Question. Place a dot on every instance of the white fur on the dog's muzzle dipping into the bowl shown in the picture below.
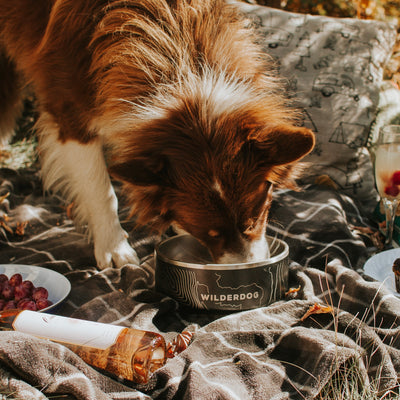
(256, 250)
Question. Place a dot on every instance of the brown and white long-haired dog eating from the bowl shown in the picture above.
(172, 97)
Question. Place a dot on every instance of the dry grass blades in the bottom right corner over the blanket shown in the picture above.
(353, 379)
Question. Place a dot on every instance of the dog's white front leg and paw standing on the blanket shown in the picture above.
(79, 172)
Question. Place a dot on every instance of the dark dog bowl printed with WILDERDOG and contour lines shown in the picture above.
(185, 272)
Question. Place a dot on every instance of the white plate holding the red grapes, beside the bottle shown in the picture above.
(56, 284)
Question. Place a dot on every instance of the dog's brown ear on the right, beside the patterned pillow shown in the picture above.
(284, 144)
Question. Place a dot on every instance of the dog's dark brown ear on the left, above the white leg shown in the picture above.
(141, 171)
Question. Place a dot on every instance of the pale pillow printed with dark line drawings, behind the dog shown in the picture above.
(334, 69)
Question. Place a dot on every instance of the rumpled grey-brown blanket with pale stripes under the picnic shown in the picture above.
(275, 352)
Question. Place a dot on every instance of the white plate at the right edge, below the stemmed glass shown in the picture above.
(380, 265)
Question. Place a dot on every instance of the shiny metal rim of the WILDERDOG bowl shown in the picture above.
(226, 267)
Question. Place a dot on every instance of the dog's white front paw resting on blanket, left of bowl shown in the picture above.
(115, 254)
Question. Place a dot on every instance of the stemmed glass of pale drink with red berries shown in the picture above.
(387, 174)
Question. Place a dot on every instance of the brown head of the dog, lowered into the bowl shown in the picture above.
(212, 178)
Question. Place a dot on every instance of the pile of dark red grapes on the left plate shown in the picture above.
(16, 293)
